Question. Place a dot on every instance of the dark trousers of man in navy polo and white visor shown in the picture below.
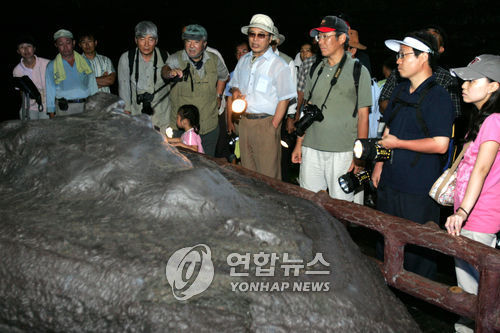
(419, 208)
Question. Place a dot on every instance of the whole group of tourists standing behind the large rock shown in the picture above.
(325, 95)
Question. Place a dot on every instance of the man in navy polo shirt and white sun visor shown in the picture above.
(419, 121)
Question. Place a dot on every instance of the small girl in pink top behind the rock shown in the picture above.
(188, 119)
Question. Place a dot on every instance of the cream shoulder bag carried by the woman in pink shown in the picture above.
(443, 189)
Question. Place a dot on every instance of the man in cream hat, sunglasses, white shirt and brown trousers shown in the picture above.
(265, 81)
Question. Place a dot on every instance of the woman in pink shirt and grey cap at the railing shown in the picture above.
(477, 191)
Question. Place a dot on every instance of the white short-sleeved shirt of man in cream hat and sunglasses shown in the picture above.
(265, 82)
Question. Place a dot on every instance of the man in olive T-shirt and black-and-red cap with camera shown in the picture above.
(335, 114)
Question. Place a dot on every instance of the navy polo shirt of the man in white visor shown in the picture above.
(438, 114)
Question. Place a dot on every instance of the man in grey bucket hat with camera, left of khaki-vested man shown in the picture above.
(139, 77)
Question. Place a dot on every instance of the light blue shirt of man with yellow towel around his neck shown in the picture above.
(76, 85)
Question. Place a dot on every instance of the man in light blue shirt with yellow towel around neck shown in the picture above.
(69, 78)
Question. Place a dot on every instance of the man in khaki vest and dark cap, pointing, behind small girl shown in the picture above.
(199, 79)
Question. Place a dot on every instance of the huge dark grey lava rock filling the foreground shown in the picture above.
(93, 206)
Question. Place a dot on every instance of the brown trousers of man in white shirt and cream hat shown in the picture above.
(260, 146)
